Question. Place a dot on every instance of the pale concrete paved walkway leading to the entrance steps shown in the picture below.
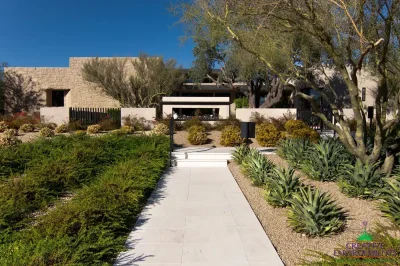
(198, 217)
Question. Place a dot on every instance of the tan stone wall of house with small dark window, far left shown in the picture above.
(77, 92)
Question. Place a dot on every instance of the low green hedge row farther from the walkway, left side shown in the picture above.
(79, 164)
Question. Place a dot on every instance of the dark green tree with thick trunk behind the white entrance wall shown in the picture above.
(236, 66)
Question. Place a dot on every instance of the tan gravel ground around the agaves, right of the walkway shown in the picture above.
(292, 246)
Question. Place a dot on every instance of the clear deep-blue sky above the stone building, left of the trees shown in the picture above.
(48, 32)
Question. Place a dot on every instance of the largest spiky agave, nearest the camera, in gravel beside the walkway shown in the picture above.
(314, 213)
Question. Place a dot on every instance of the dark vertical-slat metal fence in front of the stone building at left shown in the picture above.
(91, 116)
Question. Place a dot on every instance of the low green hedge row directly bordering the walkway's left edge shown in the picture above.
(91, 229)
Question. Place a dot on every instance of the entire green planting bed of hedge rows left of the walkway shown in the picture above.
(109, 179)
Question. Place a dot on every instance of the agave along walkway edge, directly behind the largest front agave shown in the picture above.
(280, 187)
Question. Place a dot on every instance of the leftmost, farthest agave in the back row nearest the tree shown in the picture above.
(293, 150)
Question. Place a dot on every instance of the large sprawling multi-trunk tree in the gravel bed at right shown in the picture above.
(296, 37)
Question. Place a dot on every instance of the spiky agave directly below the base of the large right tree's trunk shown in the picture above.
(361, 180)
